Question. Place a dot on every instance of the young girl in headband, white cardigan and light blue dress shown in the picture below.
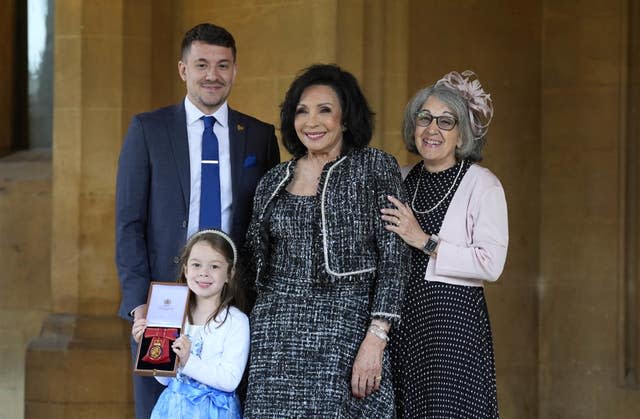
(214, 345)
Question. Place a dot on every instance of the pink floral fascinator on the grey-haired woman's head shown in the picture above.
(478, 101)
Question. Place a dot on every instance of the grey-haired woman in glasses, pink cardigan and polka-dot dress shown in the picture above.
(456, 222)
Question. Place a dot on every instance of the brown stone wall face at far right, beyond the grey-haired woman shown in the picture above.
(584, 87)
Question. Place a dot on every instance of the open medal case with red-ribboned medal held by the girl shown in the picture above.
(166, 312)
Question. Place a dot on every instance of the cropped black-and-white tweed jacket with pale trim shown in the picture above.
(352, 243)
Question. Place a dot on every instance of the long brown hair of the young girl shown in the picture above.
(232, 293)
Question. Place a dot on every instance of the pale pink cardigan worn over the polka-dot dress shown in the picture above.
(474, 234)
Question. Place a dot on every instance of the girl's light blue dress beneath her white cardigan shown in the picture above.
(186, 397)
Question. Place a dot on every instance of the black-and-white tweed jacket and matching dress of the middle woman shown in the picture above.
(324, 268)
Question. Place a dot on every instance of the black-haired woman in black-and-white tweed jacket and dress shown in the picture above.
(328, 275)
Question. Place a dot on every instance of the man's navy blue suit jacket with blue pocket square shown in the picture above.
(153, 193)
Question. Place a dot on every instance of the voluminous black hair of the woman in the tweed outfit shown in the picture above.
(357, 117)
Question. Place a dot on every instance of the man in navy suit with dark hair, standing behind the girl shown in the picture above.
(158, 183)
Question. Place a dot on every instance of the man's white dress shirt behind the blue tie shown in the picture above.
(195, 127)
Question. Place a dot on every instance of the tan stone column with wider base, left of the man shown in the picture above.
(79, 365)
